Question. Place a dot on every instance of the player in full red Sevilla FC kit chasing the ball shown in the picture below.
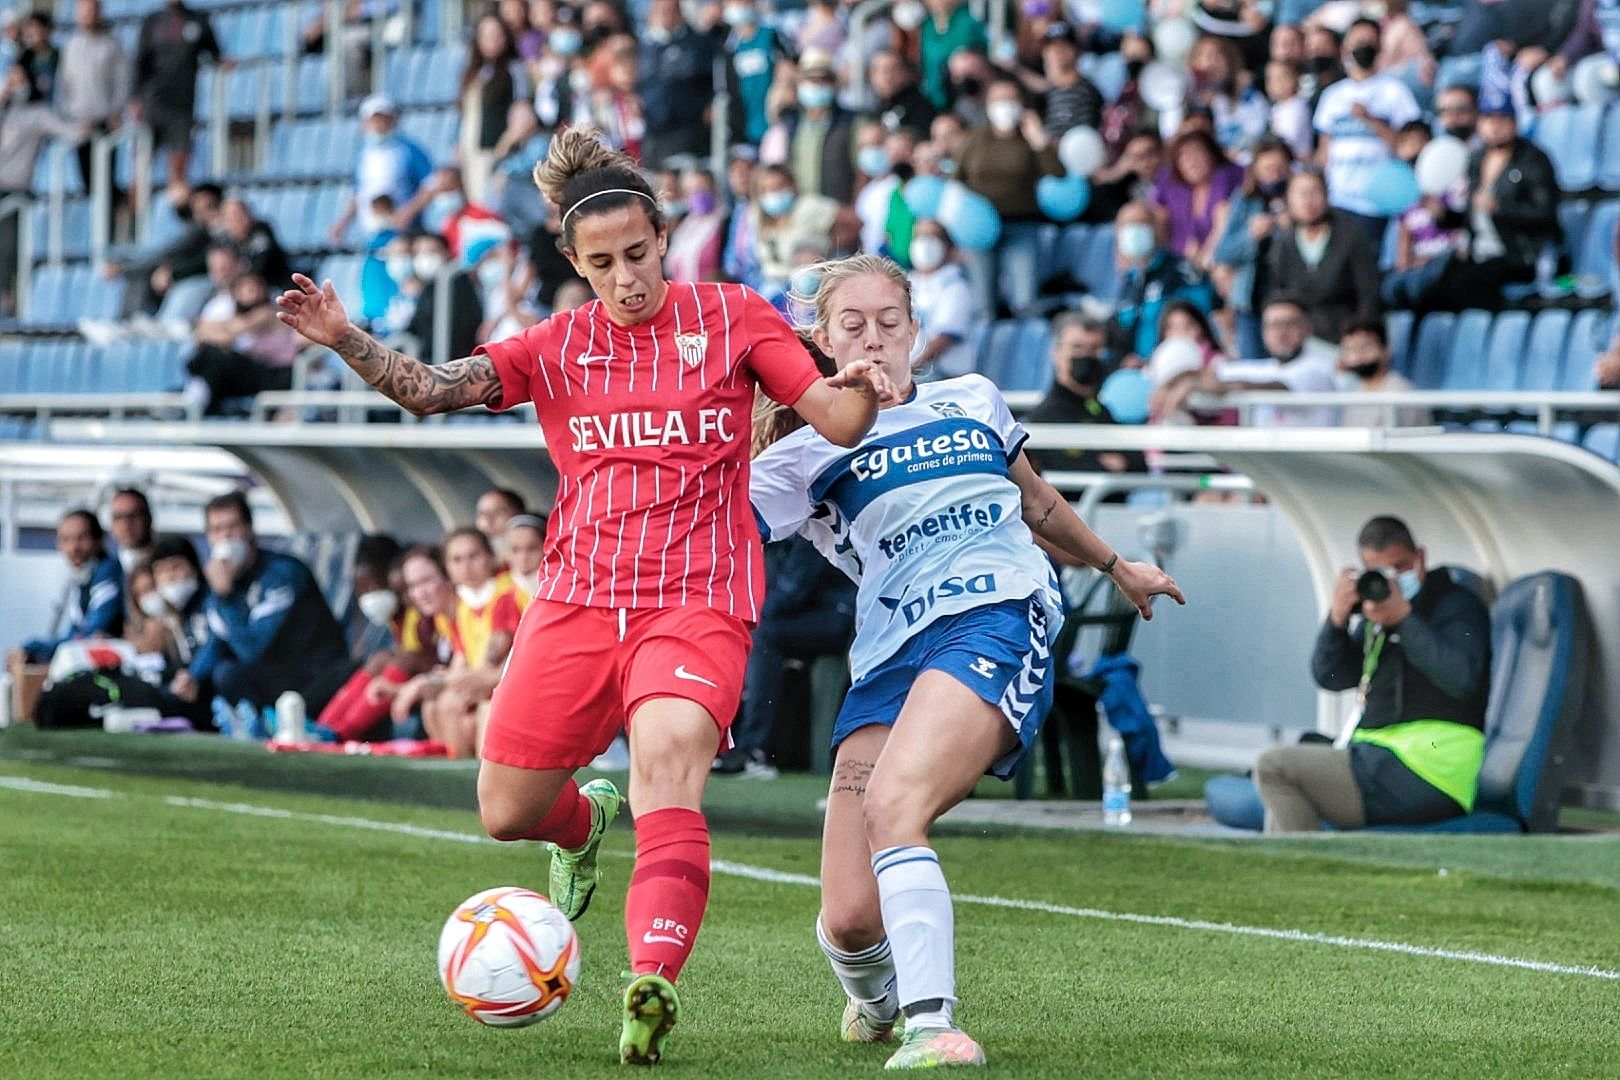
(654, 564)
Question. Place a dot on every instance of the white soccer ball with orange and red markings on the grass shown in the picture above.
(509, 958)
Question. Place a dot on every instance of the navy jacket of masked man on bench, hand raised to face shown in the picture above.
(276, 619)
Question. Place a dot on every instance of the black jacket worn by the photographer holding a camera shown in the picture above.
(1436, 666)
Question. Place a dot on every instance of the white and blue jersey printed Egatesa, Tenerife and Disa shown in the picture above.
(923, 516)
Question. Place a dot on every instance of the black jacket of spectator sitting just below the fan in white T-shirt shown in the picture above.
(1342, 286)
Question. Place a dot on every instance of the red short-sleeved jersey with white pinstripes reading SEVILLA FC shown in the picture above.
(649, 428)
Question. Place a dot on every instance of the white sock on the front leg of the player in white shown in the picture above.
(923, 932)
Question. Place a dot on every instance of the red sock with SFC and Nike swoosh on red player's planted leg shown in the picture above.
(668, 890)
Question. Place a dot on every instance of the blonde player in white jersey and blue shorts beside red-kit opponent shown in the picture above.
(934, 517)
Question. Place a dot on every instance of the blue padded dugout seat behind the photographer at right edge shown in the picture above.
(1538, 686)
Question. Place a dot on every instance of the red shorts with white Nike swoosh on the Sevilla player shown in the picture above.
(578, 674)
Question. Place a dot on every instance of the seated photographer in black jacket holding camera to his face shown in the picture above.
(1420, 657)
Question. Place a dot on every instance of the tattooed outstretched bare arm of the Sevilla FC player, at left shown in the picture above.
(424, 389)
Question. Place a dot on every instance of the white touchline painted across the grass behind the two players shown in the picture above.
(780, 877)
